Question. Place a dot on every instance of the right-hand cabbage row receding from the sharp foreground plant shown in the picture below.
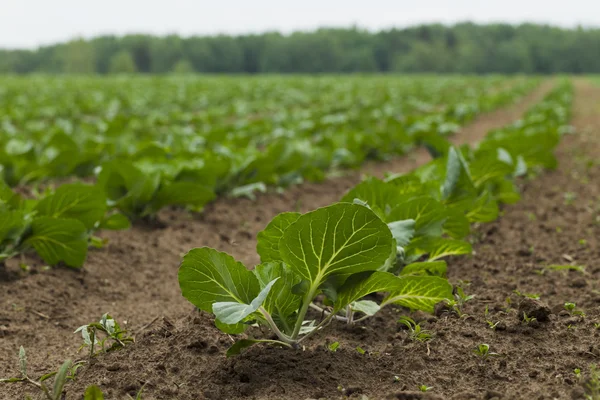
(384, 236)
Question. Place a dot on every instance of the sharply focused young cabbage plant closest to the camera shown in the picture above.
(338, 252)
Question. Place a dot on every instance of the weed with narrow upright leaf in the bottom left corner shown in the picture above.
(66, 371)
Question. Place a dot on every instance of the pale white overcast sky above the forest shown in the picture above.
(30, 23)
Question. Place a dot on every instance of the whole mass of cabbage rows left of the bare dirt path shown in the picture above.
(188, 169)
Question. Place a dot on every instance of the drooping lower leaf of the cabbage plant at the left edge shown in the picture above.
(59, 239)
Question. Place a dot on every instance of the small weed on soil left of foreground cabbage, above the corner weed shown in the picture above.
(111, 331)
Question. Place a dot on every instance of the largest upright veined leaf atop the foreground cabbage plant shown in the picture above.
(340, 239)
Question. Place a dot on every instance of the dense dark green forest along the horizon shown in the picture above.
(461, 48)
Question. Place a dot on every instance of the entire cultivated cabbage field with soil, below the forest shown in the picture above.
(298, 237)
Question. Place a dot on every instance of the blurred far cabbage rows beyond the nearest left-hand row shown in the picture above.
(229, 132)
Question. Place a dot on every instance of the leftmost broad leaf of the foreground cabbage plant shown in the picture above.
(207, 276)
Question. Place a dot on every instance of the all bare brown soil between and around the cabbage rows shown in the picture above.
(180, 355)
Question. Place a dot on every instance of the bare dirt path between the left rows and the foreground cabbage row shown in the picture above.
(134, 277)
